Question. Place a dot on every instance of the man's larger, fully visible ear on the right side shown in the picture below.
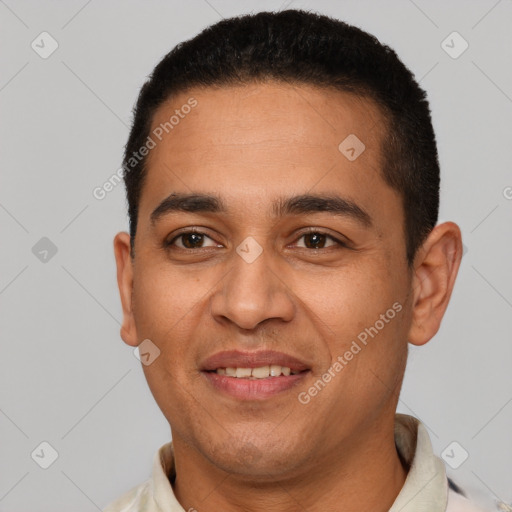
(435, 269)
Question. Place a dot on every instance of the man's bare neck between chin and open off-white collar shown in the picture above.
(366, 473)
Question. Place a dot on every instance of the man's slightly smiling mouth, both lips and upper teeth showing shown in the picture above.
(253, 376)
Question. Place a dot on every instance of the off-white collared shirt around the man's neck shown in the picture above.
(425, 488)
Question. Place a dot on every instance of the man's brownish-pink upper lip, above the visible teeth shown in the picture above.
(247, 359)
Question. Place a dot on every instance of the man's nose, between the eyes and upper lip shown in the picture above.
(252, 293)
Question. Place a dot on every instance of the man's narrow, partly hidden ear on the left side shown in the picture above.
(124, 264)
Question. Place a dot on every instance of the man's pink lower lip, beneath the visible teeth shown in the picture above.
(253, 389)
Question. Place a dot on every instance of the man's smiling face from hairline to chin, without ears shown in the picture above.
(256, 277)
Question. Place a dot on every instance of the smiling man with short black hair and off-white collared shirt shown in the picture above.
(283, 192)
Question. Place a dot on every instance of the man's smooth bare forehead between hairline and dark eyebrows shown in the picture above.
(256, 142)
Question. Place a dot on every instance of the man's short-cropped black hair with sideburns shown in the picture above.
(302, 47)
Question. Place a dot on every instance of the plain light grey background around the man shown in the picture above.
(67, 378)
